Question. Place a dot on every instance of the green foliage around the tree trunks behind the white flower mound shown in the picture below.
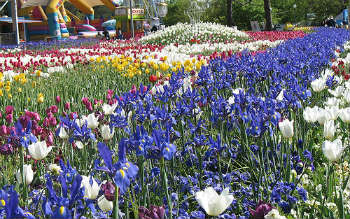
(244, 11)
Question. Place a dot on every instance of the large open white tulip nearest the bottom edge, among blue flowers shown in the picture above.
(212, 203)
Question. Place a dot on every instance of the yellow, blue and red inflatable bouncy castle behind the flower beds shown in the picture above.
(57, 22)
